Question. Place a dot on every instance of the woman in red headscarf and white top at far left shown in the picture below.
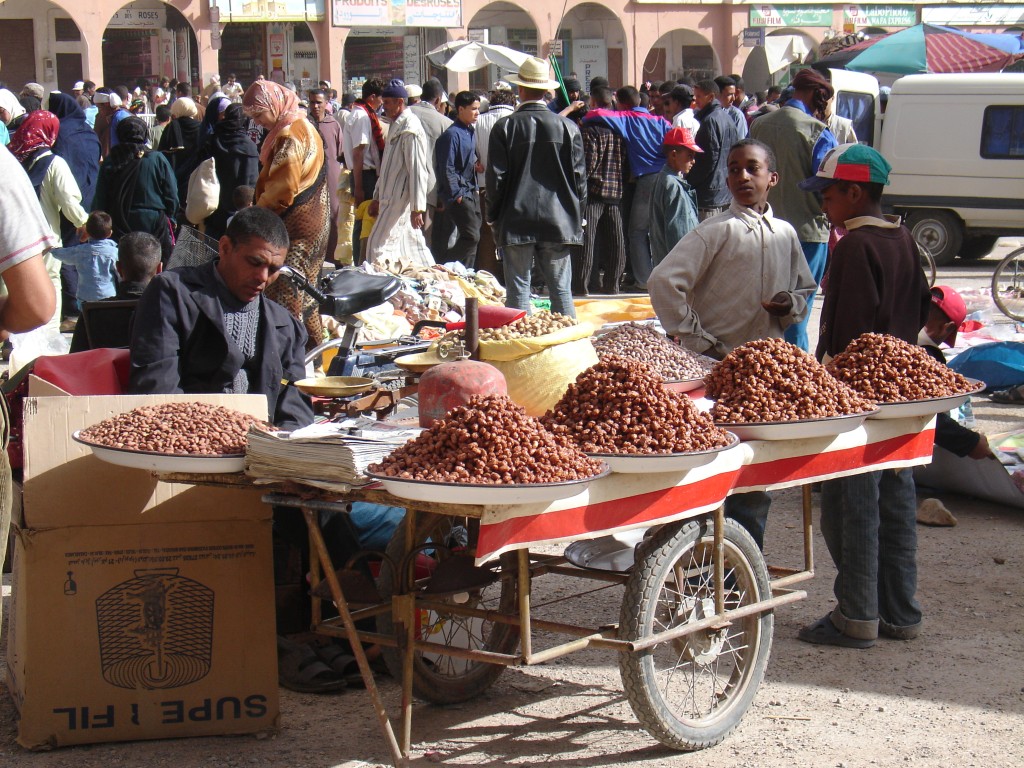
(59, 193)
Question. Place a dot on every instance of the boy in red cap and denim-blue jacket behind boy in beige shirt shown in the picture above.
(673, 201)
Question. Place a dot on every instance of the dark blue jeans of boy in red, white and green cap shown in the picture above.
(869, 525)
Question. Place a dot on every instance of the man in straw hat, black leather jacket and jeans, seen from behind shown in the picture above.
(537, 190)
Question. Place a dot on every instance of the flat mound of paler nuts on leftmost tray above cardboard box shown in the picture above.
(177, 429)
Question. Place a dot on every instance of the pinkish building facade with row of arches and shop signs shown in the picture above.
(58, 42)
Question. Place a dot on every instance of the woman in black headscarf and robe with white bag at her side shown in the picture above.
(237, 161)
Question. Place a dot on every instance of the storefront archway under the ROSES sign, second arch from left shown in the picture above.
(148, 40)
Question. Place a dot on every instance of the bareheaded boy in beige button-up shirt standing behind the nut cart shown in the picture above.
(701, 302)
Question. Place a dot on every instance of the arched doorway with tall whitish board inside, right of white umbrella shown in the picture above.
(593, 46)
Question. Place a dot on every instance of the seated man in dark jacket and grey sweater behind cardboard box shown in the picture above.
(209, 329)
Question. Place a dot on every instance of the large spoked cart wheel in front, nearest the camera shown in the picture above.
(692, 692)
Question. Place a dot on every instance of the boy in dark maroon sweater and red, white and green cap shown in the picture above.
(876, 284)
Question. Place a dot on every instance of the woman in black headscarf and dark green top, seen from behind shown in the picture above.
(138, 188)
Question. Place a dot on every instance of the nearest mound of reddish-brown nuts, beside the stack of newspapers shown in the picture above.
(488, 442)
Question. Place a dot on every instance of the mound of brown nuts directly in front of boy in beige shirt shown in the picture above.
(771, 380)
